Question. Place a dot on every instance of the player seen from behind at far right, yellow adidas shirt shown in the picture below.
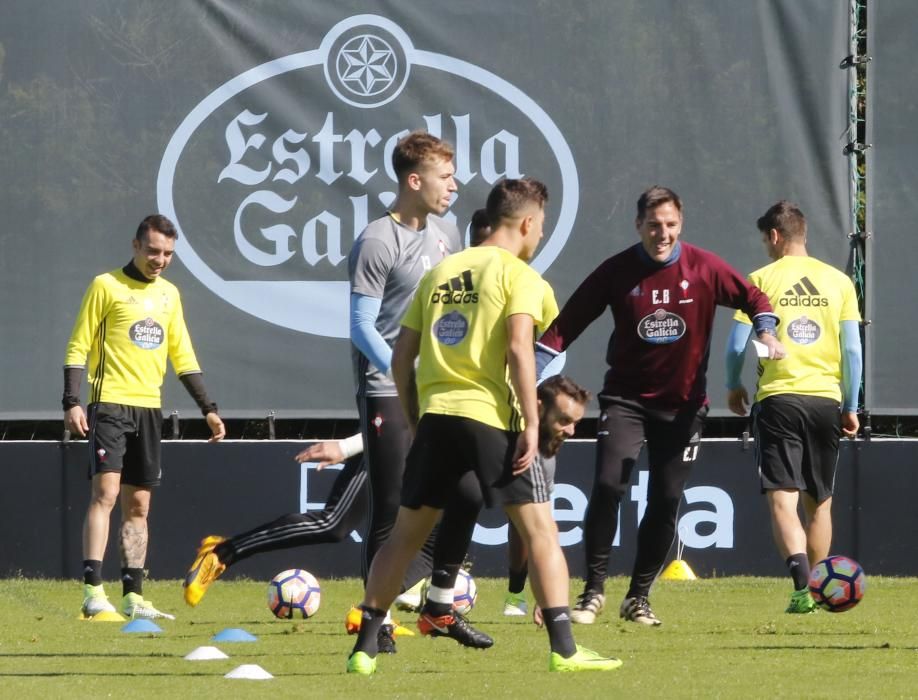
(805, 401)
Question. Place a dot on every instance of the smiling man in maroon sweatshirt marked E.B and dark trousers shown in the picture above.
(662, 294)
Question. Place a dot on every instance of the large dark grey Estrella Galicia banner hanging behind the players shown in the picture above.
(265, 132)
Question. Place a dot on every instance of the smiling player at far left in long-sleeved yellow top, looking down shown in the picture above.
(130, 322)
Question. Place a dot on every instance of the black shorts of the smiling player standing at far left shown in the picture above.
(126, 439)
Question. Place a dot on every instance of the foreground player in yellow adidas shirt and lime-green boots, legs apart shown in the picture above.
(472, 325)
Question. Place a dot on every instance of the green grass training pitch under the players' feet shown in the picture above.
(726, 638)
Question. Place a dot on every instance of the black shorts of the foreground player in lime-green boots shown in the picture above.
(445, 448)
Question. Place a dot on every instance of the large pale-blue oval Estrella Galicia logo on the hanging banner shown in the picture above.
(272, 176)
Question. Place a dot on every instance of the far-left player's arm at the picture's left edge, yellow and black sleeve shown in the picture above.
(92, 311)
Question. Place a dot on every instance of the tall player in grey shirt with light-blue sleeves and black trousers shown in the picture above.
(384, 266)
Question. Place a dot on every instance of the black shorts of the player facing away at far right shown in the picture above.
(796, 443)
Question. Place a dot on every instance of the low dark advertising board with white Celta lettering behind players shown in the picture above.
(234, 487)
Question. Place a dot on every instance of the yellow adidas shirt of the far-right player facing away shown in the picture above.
(812, 299)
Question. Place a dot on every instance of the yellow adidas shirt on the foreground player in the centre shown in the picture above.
(460, 309)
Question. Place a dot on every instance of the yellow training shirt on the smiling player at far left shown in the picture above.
(128, 328)
